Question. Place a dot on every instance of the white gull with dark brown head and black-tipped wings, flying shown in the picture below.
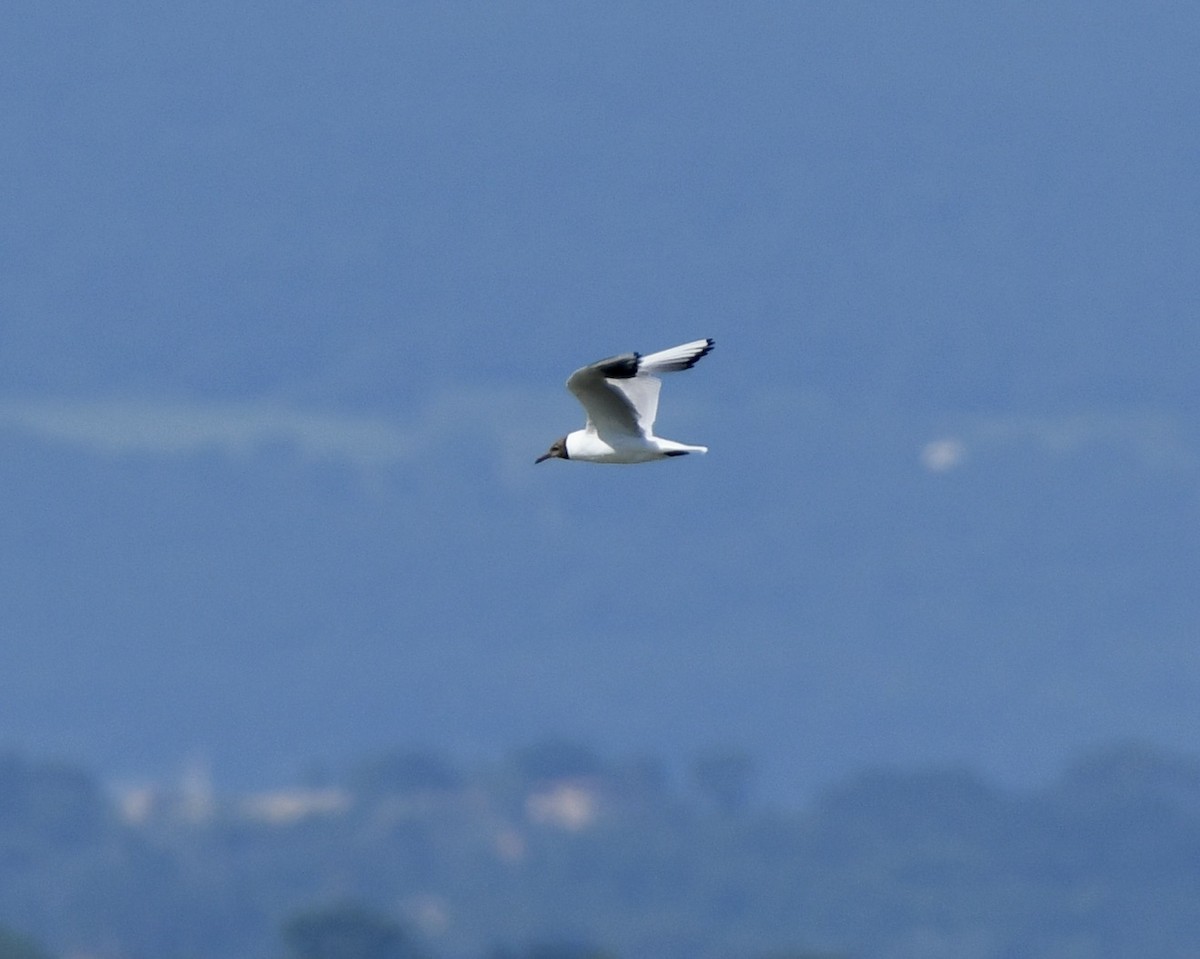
(621, 397)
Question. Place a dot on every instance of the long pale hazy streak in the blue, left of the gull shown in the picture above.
(128, 427)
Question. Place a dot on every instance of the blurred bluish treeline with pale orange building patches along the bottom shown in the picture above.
(559, 853)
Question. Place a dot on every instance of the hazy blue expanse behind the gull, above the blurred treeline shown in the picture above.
(290, 295)
